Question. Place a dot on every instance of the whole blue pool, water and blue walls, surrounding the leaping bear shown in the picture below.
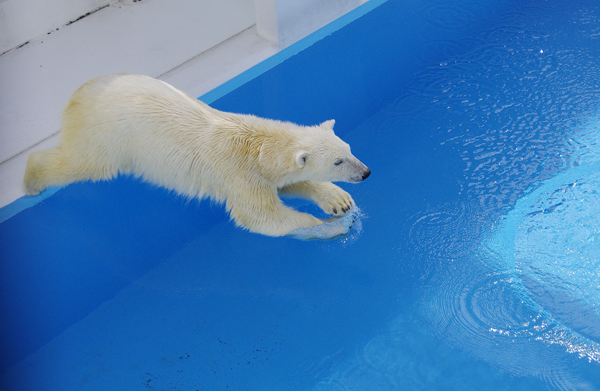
(474, 264)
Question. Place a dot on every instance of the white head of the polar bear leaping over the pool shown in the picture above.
(322, 156)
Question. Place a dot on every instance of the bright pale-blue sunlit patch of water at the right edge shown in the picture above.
(556, 258)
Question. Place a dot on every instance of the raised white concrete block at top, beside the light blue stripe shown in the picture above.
(284, 22)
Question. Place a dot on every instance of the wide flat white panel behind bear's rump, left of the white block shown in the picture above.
(149, 37)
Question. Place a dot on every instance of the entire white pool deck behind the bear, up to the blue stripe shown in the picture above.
(195, 45)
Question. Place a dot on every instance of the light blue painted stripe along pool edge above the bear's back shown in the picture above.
(290, 51)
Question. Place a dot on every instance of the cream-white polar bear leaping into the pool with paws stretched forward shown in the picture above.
(133, 124)
